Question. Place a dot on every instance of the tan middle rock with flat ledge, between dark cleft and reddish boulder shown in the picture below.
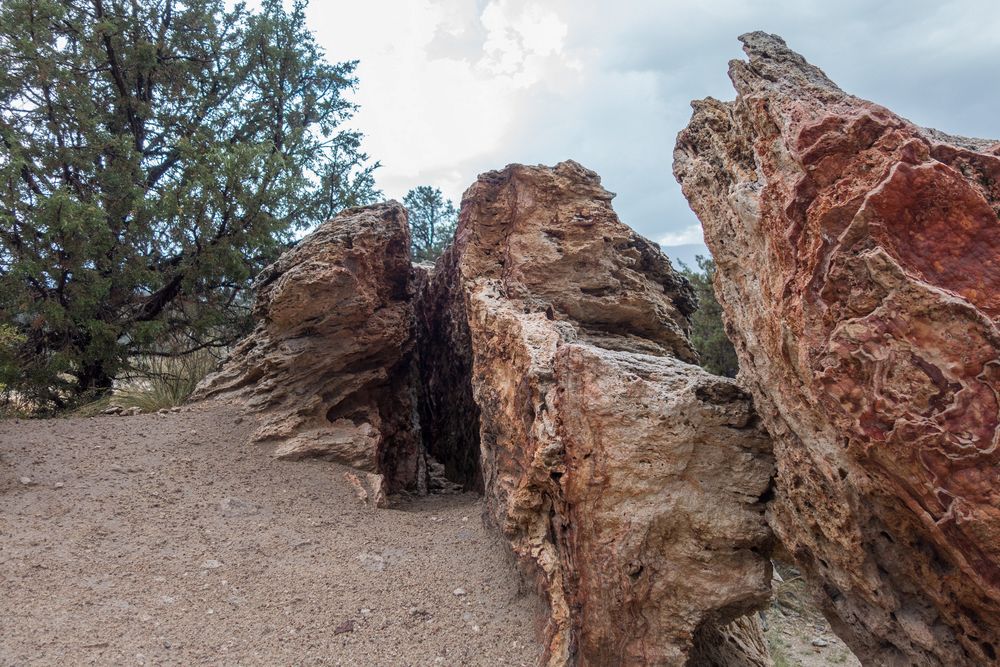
(627, 481)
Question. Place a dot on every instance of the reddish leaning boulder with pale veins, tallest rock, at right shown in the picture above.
(859, 269)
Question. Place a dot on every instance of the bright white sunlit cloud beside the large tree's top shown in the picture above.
(427, 113)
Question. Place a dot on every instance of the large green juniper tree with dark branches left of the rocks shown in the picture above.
(154, 156)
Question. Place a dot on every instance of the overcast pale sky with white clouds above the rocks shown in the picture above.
(452, 88)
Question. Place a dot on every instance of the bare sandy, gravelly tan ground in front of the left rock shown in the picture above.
(164, 539)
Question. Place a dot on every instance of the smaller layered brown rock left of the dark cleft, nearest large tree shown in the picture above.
(329, 366)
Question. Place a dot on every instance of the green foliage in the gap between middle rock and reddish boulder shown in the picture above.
(708, 331)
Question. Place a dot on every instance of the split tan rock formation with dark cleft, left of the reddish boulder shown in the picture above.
(543, 360)
